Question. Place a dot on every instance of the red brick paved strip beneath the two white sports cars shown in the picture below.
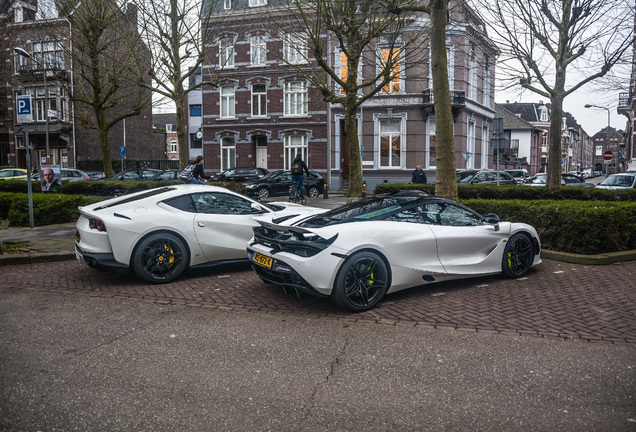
(593, 303)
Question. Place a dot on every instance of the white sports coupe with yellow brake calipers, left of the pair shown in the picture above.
(181, 226)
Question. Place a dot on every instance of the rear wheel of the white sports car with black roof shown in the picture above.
(362, 281)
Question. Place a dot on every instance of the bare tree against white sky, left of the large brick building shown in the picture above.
(175, 31)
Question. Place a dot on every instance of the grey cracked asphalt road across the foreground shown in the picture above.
(78, 362)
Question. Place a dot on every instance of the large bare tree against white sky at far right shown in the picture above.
(543, 40)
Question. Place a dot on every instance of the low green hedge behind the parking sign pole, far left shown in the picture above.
(48, 208)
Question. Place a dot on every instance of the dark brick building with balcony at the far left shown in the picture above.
(46, 73)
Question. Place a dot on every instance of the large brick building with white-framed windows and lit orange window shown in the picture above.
(265, 111)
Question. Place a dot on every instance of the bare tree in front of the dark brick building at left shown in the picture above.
(105, 86)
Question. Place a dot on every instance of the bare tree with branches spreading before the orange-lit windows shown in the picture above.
(356, 28)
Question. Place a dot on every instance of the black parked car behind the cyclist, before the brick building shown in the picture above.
(277, 183)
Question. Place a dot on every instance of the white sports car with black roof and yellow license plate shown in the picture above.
(358, 252)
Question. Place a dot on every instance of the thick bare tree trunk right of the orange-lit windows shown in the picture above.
(446, 179)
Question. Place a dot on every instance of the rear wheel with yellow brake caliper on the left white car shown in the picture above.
(160, 258)
